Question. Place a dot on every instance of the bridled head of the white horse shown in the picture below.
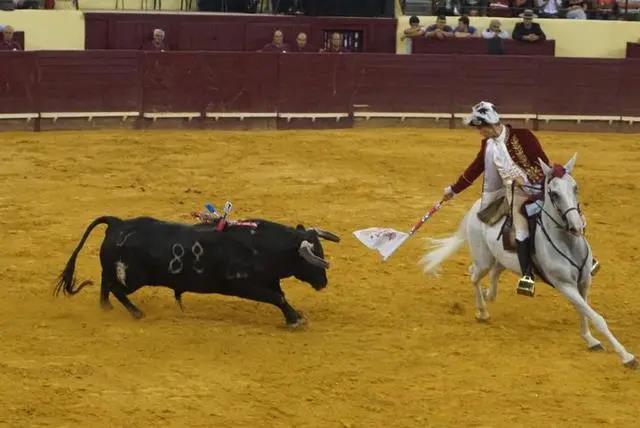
(562, 192)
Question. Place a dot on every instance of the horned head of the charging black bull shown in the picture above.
(313, 266)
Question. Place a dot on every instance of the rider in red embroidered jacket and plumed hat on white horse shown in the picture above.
(509, 159)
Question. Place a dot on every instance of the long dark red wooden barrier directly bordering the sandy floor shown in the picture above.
(210, 86)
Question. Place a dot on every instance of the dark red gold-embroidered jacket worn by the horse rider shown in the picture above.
(523, 147)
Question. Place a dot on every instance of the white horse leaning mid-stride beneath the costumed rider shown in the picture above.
(561, 252)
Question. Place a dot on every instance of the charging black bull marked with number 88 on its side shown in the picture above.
(246, 260)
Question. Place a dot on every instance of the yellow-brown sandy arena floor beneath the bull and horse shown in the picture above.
(385, 346)
